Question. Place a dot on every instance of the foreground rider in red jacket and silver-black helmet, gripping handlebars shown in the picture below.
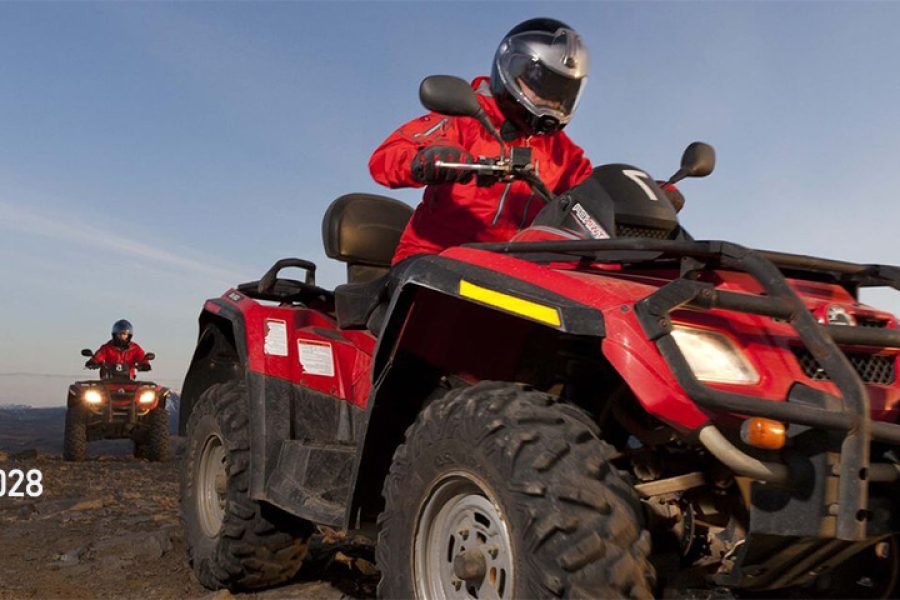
(537, 78)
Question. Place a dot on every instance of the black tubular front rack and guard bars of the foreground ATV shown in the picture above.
(849, 414)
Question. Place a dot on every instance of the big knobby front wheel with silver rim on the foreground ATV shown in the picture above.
(501, 492)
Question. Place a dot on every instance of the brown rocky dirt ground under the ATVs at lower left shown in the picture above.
(109, 527)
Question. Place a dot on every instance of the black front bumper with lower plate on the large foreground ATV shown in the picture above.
(825, 490)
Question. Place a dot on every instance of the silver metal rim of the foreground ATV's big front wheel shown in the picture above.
(462, 547)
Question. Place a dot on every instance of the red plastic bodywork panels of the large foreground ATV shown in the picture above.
(312, 341)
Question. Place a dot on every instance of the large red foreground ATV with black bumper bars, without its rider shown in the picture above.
(603, 407)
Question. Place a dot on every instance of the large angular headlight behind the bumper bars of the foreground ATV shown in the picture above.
(712, 356)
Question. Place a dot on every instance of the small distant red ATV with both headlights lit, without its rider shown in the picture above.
(114, 407)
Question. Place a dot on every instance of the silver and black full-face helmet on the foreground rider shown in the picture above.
(539, 72)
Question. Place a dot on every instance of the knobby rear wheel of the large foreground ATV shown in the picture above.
(233, 541)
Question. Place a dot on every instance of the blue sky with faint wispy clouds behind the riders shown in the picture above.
(153, 154)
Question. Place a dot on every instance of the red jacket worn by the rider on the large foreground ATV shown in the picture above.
(453, 214)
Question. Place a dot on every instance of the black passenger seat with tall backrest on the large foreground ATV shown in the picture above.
(363, 230)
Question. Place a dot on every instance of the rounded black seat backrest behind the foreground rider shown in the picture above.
(363, 230)
